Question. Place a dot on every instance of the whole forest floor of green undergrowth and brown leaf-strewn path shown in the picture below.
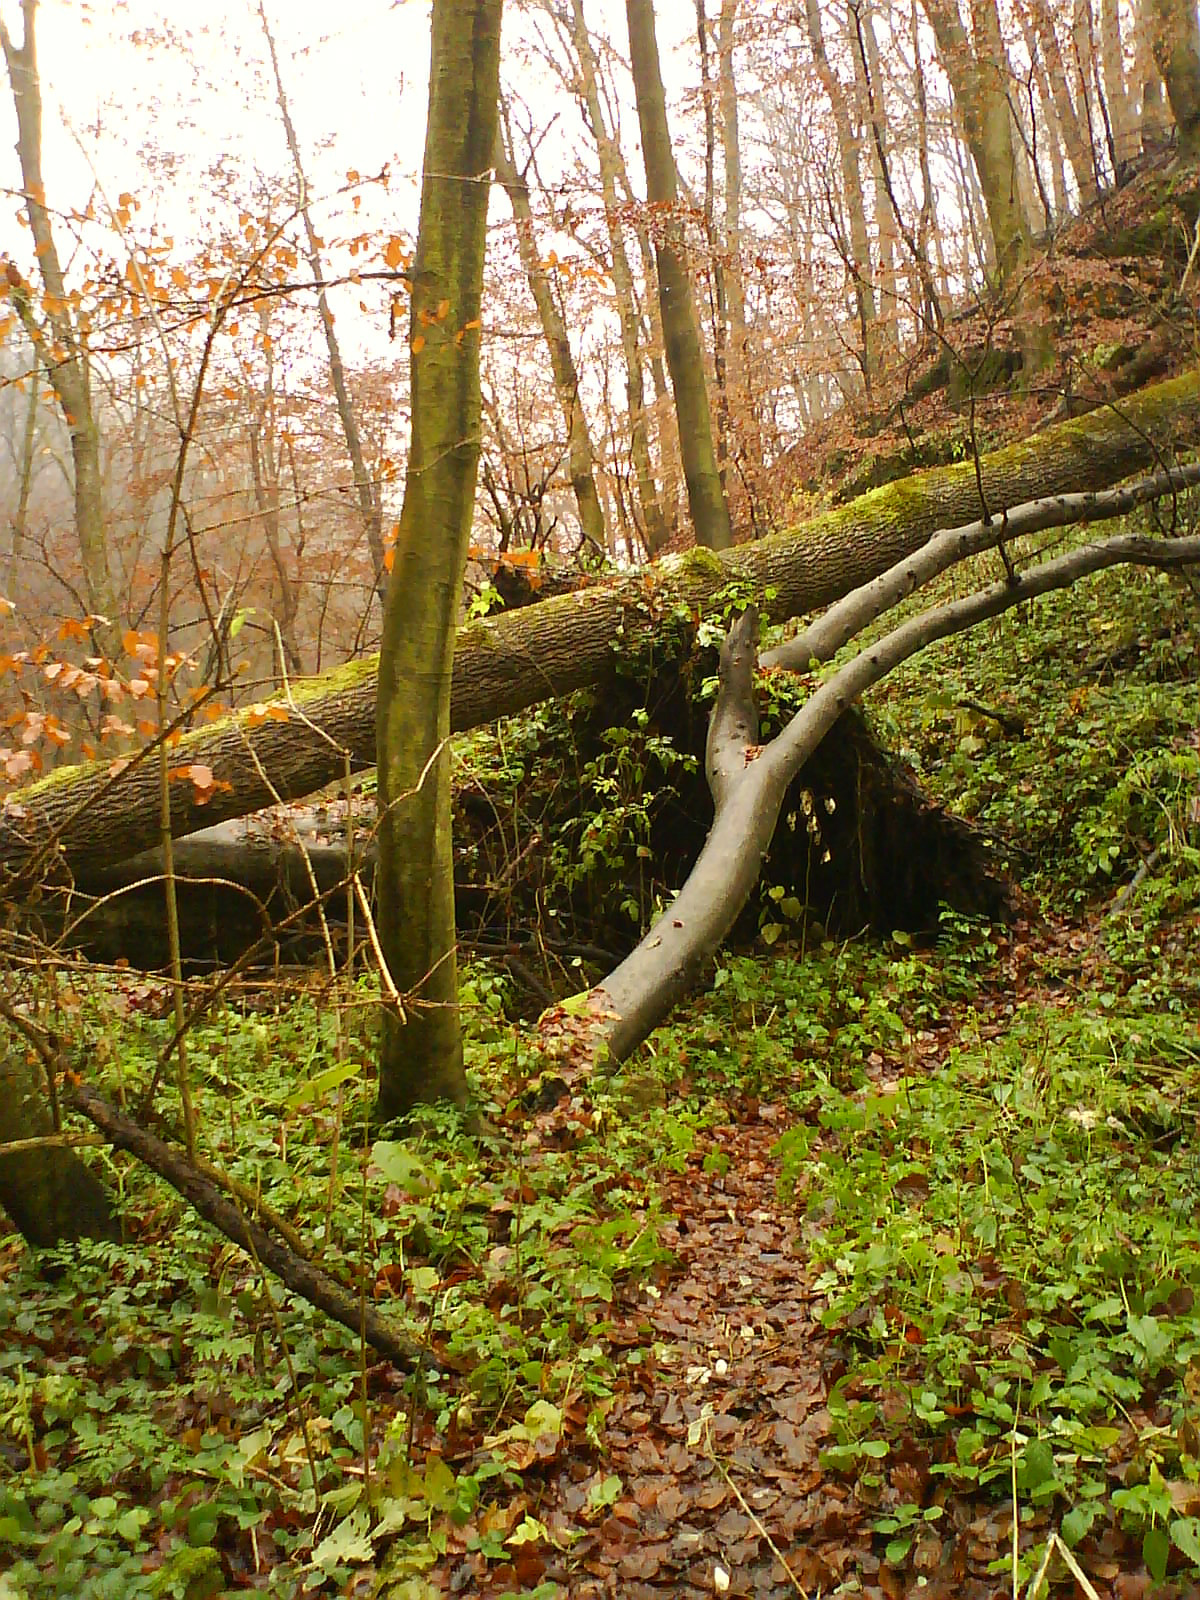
(873, 1274)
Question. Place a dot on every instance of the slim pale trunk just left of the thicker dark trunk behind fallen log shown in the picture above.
(612, 169)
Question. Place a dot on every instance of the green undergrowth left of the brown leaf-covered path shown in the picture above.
(174, 1425)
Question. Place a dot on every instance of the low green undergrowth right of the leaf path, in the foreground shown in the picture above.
(1009, 1242)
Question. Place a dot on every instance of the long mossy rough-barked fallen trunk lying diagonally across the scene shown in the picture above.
(81, 820)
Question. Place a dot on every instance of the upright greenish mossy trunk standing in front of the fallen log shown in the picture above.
(422, 1049)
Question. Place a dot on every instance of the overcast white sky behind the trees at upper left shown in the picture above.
(151, 97)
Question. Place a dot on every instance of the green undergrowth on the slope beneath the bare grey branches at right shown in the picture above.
(1070, 727)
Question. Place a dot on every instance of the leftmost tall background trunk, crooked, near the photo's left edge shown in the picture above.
(57, 340)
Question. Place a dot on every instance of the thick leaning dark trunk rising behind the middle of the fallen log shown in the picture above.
(681, 329)
